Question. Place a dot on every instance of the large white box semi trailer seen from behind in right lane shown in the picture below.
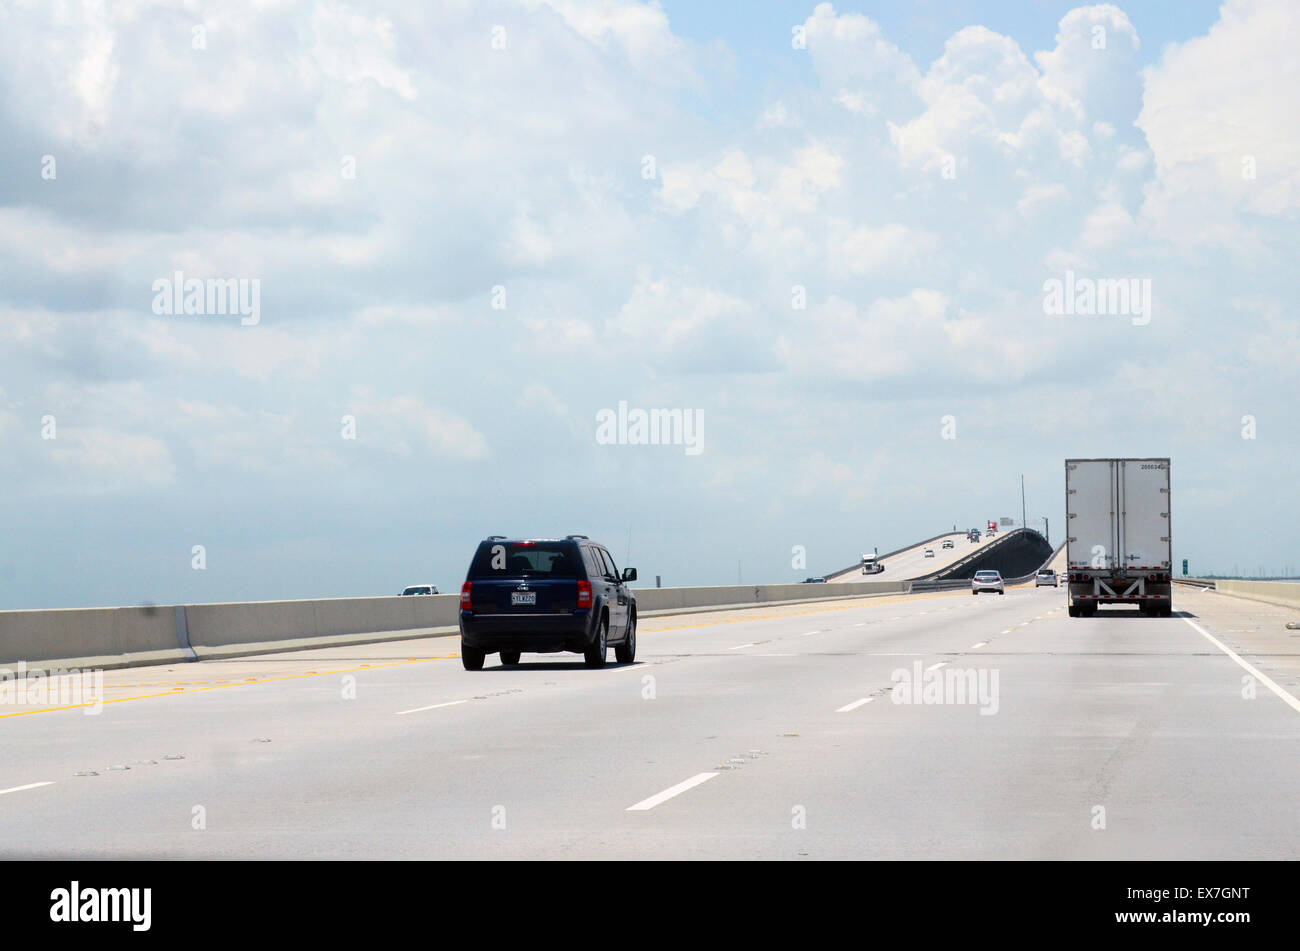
(1119, 535)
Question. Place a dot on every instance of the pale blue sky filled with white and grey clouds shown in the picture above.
(834, 240)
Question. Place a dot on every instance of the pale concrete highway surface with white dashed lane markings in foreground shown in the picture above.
(762, 733)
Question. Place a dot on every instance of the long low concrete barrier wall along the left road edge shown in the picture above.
(125, 637)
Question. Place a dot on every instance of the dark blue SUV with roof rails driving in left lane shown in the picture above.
(544, 596)
